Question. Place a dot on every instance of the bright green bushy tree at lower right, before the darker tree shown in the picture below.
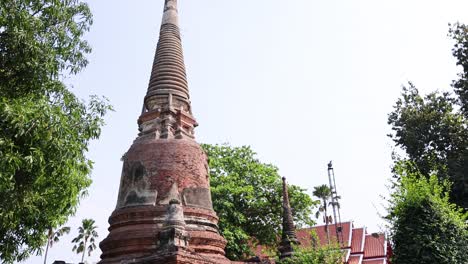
(425, 227)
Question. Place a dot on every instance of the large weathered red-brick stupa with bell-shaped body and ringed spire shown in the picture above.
(164, 212)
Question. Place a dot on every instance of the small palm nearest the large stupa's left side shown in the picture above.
(86, 233)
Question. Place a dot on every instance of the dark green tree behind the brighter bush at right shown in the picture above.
(434, 135)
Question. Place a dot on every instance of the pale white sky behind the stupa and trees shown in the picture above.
(302, 82)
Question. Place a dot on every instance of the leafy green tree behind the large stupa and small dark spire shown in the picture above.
(247, 197)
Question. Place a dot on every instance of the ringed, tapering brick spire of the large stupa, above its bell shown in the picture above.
(167, 112)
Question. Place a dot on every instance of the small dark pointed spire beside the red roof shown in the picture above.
(288, 238)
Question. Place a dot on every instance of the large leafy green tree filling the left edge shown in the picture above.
(44, 128)
